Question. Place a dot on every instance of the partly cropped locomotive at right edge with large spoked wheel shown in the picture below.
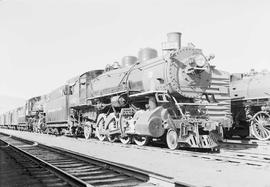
(250, 95)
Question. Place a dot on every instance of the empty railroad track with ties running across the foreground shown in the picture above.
(66, 168)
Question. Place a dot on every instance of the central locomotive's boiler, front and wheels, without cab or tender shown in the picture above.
(155, 98)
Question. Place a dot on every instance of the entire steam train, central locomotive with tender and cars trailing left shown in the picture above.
(177, 98)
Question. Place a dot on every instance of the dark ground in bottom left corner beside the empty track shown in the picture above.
(18, 170)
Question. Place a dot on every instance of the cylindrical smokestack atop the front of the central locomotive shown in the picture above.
(173, 41)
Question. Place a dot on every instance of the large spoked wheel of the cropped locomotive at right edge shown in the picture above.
(260, 126)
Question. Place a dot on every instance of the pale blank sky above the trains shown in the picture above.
(44, 43)
